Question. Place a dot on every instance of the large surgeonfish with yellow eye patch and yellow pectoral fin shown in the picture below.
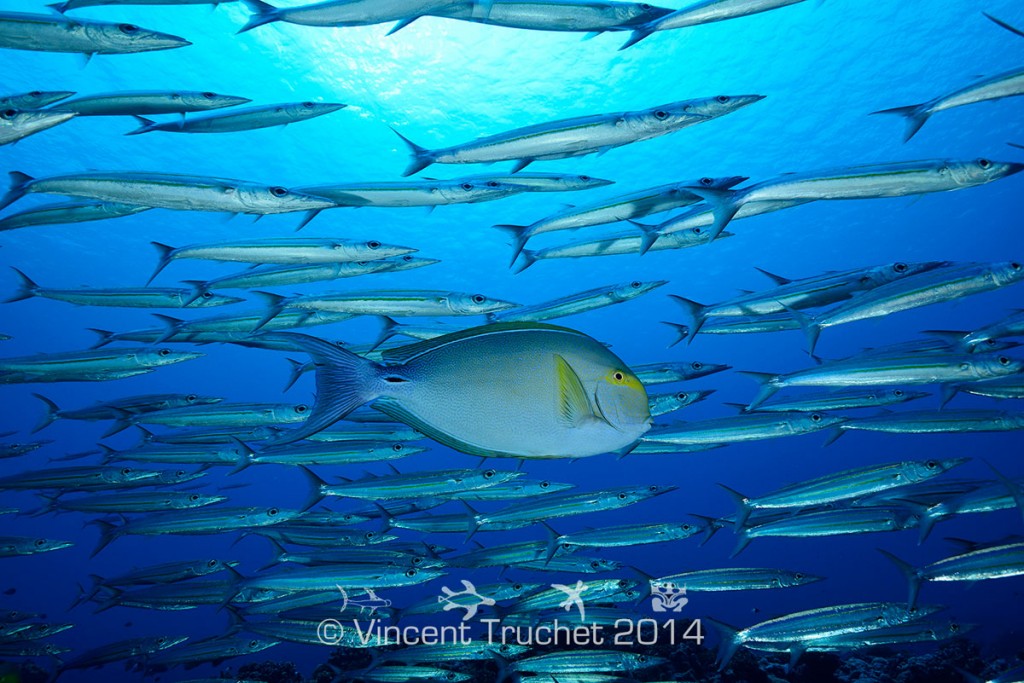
(508, 390)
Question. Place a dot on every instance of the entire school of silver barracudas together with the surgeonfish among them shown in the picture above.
(457, 383)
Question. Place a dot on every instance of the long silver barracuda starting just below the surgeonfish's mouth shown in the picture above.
(754, 428)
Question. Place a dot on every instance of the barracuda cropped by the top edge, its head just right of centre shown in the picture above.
(581, 16)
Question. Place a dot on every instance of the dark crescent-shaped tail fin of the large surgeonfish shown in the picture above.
(345, 381)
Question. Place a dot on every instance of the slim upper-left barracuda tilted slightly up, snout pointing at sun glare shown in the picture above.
(250, 118)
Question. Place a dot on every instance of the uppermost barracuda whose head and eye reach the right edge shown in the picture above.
(860, 183)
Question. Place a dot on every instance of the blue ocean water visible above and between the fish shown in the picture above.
(823, 67)
